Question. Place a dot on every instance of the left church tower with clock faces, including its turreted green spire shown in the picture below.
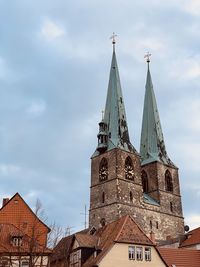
(115, 172)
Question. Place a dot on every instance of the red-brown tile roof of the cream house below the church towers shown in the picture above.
(123, 230)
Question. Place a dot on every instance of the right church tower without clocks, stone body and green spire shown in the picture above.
(159, 174)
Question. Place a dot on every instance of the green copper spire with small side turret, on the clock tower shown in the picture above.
(114, 122)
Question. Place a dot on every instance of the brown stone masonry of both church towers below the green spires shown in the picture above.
(117, 196)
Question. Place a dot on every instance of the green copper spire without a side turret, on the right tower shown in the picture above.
(152, 146)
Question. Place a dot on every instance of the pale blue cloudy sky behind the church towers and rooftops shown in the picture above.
(55, 58)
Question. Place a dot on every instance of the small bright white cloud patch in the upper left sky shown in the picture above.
(50, 30)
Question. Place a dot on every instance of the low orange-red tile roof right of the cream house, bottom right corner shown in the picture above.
(178, 257)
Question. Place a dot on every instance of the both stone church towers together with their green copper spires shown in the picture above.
(144, 185)
